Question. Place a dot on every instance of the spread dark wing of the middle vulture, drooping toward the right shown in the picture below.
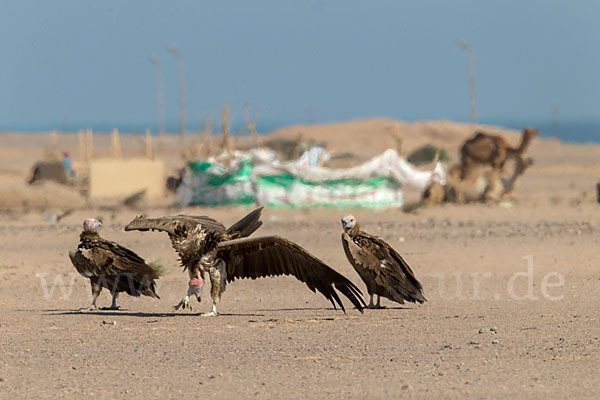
(273, 256)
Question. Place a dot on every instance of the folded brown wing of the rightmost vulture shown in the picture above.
(396, 278)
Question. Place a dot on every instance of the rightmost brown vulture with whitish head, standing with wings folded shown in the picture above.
(382, 269)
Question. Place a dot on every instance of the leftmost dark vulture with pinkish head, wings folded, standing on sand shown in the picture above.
(111, 266)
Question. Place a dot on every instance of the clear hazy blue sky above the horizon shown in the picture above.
(85, 63)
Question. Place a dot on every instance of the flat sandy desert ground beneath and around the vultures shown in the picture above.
(514, 294)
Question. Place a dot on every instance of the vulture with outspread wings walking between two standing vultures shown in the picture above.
(205, 246)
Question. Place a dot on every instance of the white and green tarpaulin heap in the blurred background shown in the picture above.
(258, 177)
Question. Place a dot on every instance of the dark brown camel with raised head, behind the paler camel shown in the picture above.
(492, 150)
